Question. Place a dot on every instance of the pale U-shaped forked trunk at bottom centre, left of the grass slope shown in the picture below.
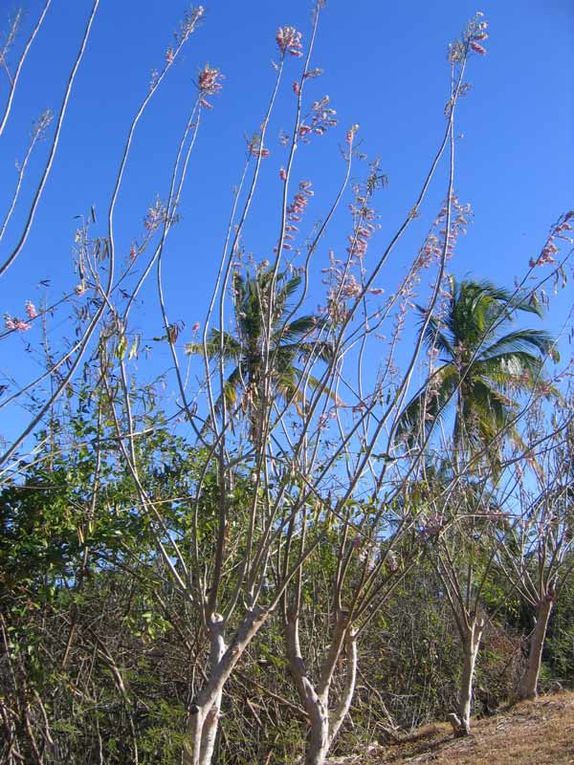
(324, 723)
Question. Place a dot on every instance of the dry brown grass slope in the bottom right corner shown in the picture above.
(532, 733)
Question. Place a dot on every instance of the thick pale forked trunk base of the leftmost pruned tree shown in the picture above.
(203, 723)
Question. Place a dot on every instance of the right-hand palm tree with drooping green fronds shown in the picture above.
(481, 369)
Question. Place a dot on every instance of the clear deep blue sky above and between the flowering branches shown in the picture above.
(385, 68)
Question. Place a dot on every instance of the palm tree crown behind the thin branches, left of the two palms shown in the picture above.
(281, 351)
